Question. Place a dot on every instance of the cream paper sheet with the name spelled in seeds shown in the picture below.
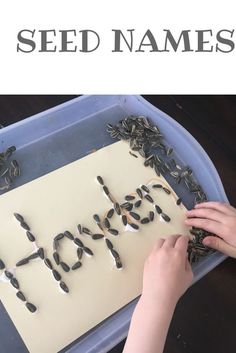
(57, 202)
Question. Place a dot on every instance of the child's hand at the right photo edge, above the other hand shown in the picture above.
(220, 219)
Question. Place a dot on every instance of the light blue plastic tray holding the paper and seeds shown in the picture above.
(63, 134)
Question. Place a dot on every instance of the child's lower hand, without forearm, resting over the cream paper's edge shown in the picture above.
(167, 272)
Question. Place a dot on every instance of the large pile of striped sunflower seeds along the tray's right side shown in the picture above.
(147, 140)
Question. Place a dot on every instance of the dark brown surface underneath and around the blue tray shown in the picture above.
(205, 318)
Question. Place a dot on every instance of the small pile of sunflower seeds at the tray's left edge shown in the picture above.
(8, 169)
